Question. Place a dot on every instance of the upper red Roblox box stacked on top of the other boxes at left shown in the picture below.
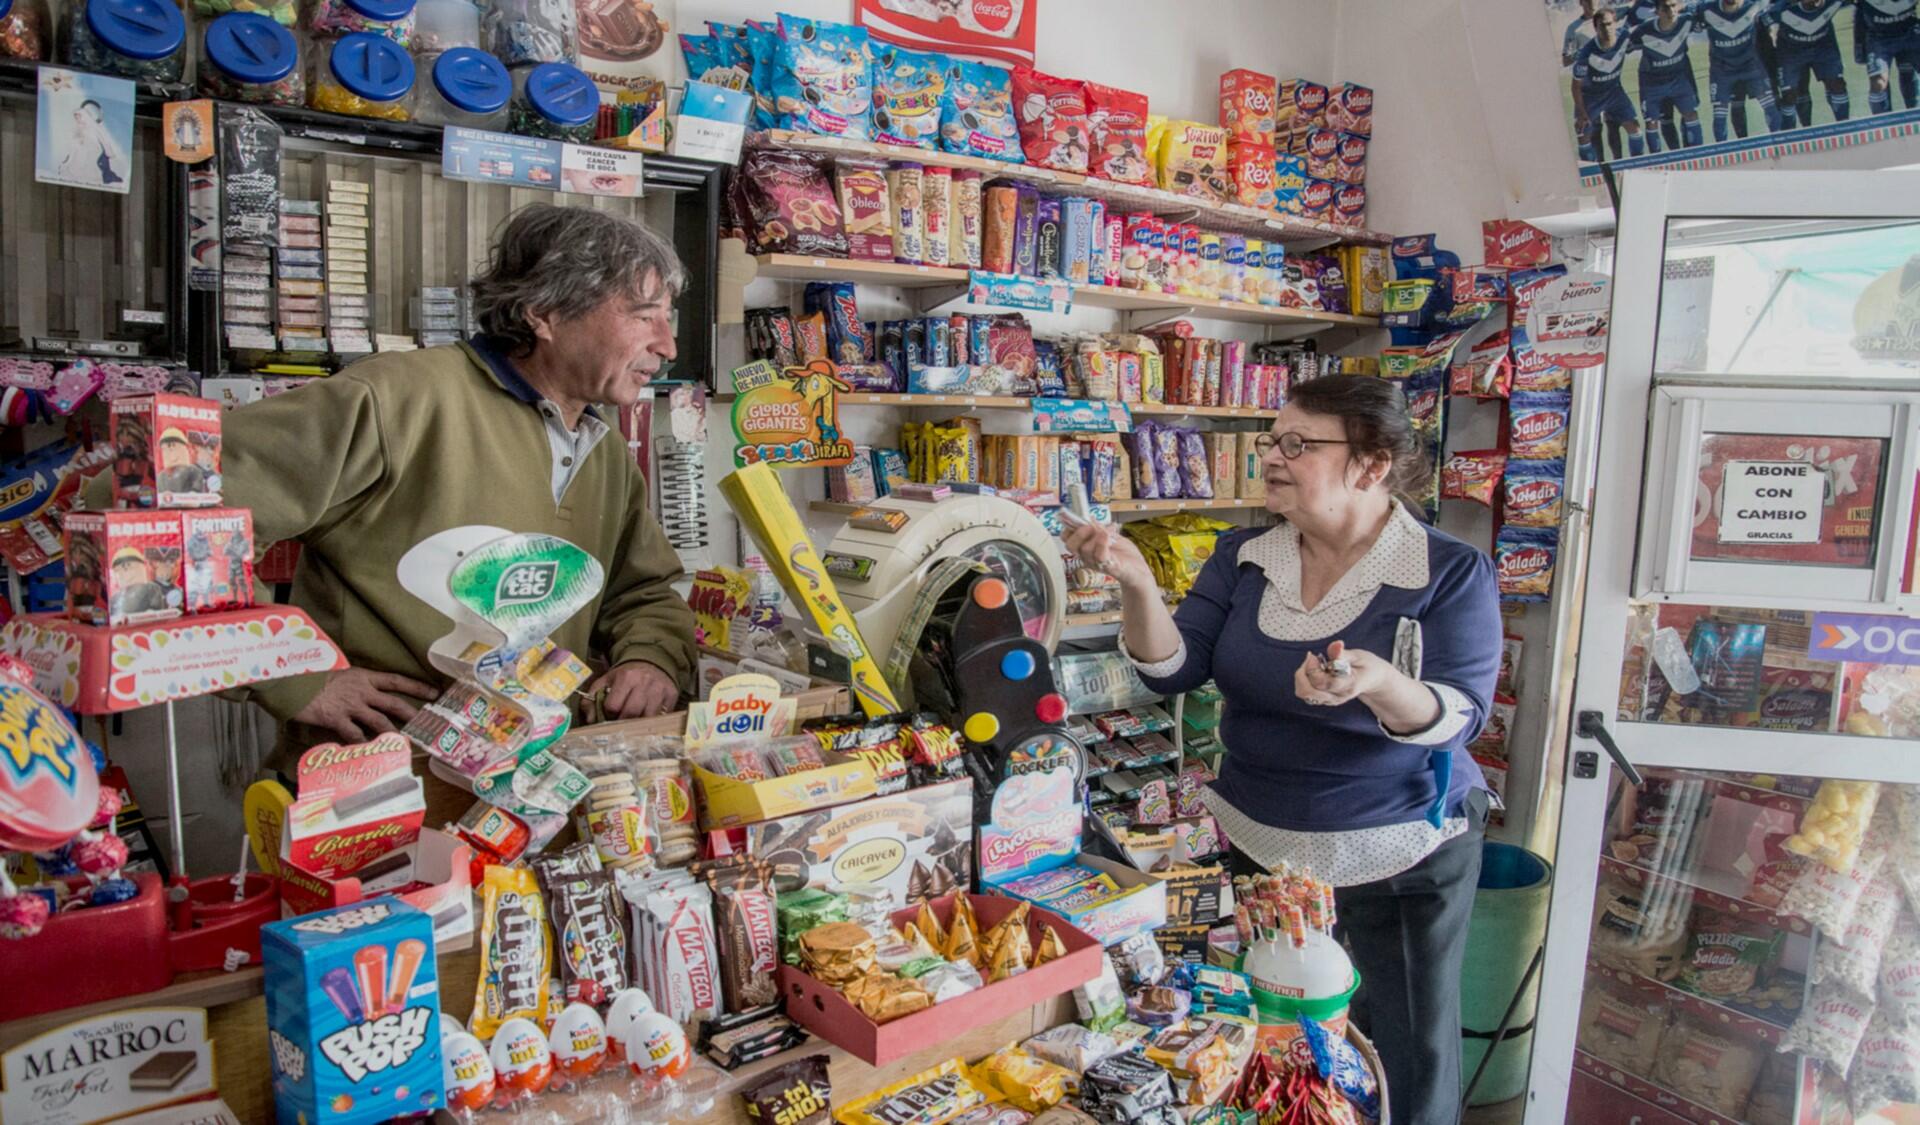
(166, 452)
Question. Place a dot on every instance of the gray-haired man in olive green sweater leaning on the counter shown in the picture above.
(575, 314)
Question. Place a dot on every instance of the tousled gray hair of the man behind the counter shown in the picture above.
(565, 262)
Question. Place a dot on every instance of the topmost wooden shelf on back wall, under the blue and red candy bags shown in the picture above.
(1226, 218)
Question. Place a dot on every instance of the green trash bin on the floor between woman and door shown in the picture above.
(1510, 921)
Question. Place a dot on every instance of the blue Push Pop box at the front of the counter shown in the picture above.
(354, 1015)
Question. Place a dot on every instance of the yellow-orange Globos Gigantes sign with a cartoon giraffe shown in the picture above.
(788, 418)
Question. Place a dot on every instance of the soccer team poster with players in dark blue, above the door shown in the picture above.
(1702, 84)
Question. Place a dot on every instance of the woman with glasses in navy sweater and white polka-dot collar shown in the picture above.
(1356, 652)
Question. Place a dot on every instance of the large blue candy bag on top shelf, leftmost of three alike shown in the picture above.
(823, 82)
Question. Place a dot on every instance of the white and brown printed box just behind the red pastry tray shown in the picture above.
(915, 844)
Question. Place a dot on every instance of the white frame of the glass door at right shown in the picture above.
(1648, 201)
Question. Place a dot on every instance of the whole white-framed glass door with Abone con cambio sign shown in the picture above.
(1733, 932)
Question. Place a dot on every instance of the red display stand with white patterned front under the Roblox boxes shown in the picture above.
(101, 671)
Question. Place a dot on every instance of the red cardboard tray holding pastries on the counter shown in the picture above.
(823, 1011)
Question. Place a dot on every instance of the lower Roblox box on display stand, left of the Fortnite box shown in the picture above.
(124, 569)
